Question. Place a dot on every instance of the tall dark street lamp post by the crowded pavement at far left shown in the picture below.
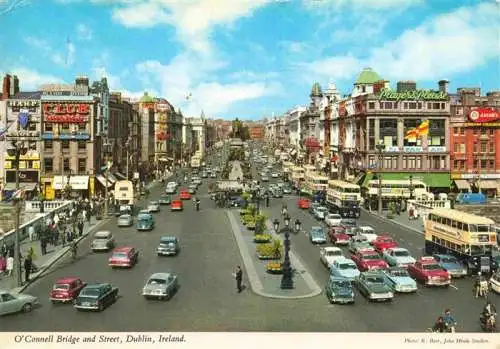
(16, 150)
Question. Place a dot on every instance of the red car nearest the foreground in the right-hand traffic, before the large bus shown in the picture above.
(427, 271)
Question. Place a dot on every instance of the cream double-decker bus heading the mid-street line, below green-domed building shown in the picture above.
(344, 197)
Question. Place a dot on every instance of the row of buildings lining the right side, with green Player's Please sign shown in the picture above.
(373, 130)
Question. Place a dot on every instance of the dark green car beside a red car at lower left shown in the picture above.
(96, 297)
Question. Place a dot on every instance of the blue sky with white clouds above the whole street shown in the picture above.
(249, 58)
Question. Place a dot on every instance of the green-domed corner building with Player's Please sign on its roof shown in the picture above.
(375, 114)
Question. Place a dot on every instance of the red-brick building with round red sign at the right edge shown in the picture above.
(475, 141)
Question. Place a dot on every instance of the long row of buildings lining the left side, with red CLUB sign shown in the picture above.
(71, 133)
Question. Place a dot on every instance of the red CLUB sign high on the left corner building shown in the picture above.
(72, 113)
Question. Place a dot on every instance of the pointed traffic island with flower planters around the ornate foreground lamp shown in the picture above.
(262, 256)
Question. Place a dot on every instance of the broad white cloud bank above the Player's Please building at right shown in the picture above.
(447, 44)
